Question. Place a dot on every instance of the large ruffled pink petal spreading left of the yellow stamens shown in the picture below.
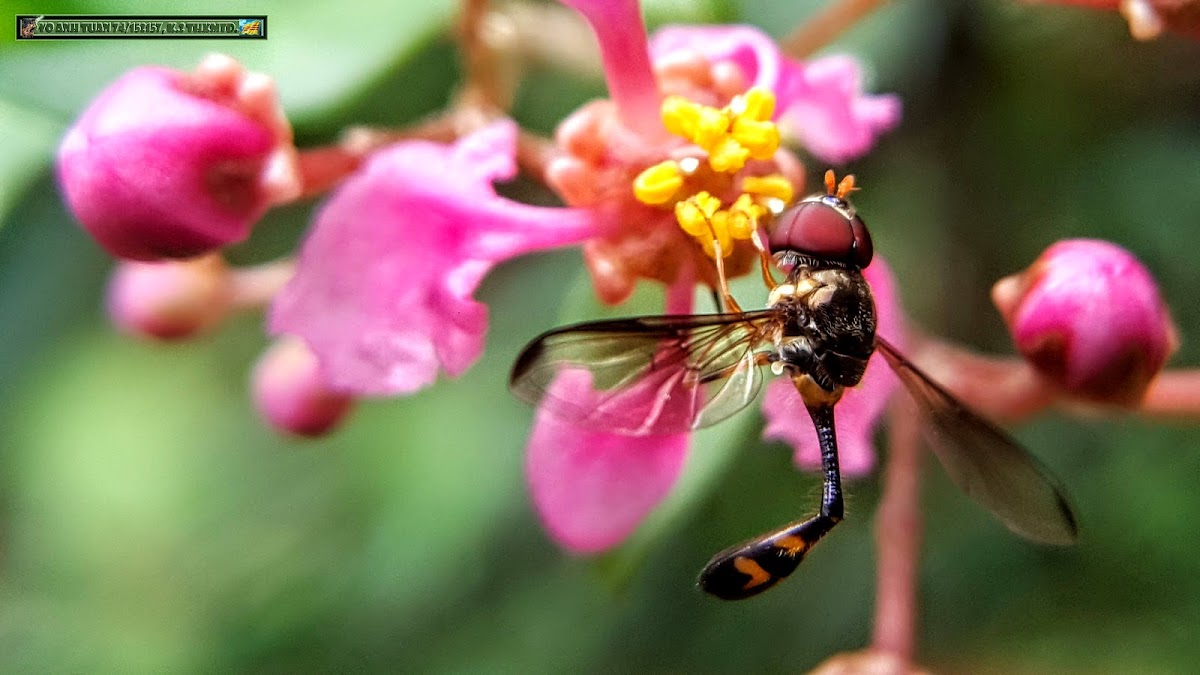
(383, 288)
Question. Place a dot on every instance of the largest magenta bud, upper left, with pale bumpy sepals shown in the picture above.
(172, 165)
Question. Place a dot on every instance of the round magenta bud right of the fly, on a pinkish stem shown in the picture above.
(1089, 316)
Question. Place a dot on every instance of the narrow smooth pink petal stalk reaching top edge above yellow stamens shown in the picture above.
(627, 65)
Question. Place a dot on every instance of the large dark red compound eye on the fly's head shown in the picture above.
(818, 229)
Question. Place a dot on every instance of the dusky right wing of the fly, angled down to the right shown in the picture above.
(987, 463)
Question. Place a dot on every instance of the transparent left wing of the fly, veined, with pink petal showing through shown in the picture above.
(646, 375)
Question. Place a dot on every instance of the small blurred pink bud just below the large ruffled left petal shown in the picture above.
(292, 395)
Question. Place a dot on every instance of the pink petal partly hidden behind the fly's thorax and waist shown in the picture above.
(861, 408)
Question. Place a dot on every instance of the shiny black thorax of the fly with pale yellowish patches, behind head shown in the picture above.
(829, 324)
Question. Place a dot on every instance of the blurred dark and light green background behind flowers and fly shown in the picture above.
(149, 522)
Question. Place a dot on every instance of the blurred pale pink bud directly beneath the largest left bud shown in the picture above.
(170, 300)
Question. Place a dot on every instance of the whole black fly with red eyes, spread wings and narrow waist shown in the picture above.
(674, 374)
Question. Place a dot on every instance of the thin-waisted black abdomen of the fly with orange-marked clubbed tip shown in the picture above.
(751, 569)
